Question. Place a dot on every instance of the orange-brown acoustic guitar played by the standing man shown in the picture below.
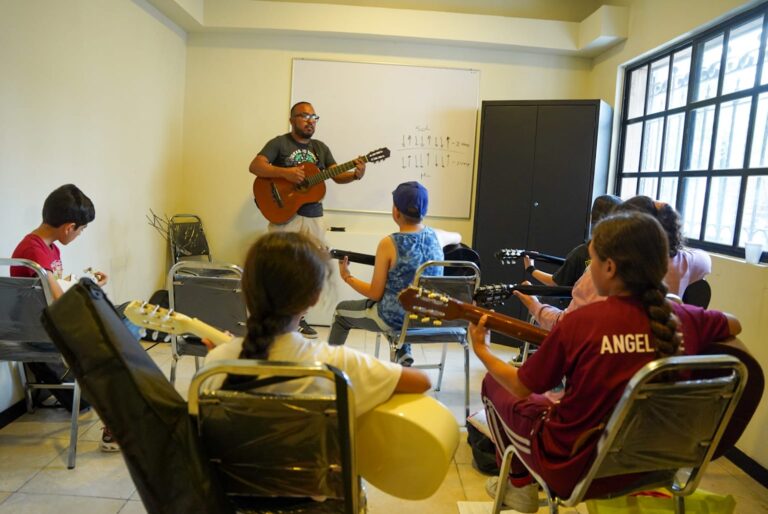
(279, 200)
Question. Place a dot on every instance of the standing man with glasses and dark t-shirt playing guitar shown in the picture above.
(281, 157)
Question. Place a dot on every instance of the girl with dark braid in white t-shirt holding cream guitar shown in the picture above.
(283, 277)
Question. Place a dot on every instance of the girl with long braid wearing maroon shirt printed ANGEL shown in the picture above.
(598, 348)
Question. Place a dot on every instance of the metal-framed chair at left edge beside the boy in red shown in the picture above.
(23, 338)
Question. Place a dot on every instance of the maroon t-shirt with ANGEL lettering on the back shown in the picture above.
(598, 348)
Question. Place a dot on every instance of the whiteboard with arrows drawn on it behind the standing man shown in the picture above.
(427, 117)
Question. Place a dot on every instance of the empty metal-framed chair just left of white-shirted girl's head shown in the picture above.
(207, 291)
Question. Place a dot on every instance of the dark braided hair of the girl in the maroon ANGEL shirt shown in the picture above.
(637, 244)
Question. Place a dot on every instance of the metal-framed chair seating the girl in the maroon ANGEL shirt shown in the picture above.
(663, 431)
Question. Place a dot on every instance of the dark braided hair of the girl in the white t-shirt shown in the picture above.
(283, 275)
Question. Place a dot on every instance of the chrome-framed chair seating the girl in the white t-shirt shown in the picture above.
(274, 451)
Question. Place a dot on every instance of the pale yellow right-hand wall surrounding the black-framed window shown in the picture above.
(738, 288)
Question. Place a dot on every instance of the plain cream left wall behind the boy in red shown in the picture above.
(92, 94)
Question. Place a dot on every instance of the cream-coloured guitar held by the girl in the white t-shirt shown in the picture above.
(404, 446)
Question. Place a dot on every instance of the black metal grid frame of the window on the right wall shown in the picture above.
(696, 43)
